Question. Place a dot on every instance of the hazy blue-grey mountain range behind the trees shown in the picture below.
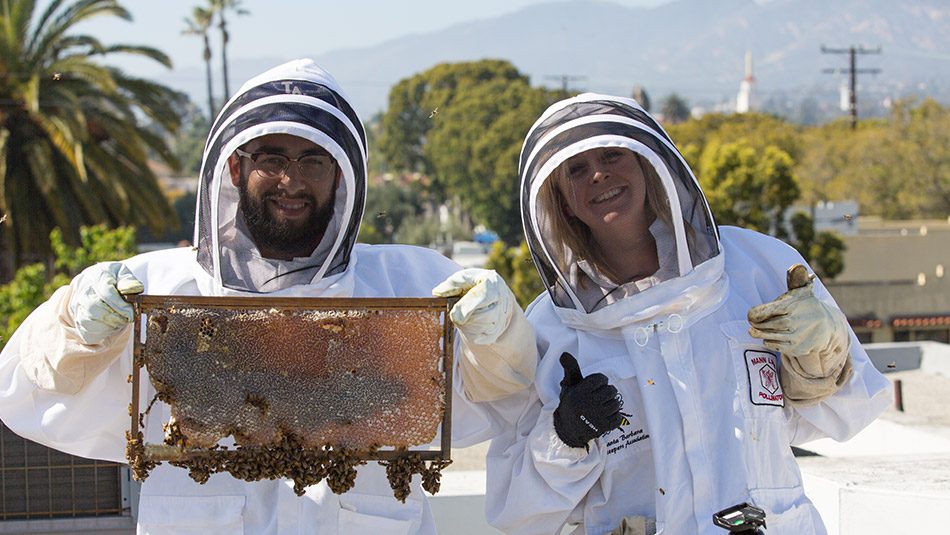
(695, 48)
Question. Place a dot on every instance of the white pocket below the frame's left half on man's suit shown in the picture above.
(191, 515)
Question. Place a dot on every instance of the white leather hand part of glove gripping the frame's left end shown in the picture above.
(96, 306)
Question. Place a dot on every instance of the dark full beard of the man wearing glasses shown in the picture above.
(291, 239)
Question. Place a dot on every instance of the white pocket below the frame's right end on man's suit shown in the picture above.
(378, 515)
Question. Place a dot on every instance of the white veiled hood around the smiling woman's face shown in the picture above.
(687, 239)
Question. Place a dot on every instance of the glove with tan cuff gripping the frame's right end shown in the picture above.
(498, 349)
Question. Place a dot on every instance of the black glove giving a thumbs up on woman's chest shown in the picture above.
(589, 406)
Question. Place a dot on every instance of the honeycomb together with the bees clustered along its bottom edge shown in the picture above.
(305, 393)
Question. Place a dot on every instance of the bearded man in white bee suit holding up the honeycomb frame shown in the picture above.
(281, 194)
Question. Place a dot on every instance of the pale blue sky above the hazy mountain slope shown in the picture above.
(294, 28)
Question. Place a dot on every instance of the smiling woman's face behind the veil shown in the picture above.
(605, 188)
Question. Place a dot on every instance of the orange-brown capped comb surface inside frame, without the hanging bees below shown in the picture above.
(354, 378)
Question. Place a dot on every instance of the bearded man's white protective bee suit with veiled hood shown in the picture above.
(300, 99)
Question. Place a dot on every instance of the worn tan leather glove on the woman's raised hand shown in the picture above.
(811, 335)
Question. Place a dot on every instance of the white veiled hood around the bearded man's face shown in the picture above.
(297, 98)
